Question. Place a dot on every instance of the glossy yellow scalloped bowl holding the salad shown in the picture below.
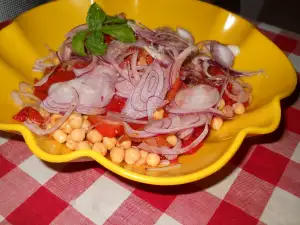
(24, 40)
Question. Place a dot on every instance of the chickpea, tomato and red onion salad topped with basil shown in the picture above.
(142, 97)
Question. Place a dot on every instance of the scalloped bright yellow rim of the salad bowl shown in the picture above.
(175, 180)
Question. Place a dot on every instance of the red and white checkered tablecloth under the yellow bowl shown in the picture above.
(260, 185)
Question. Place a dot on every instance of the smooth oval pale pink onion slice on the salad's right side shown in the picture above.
(199, 97)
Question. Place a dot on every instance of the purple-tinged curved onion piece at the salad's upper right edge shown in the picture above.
(222, 54)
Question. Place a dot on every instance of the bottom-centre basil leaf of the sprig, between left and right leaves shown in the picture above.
(95, 43)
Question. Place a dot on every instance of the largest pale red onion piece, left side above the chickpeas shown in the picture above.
(95, 89)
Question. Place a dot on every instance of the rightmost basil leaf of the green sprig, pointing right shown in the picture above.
(122, 32)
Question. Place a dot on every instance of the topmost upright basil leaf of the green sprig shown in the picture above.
(95, 17)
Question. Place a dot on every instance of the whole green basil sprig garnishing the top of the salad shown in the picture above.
(99, 24)
